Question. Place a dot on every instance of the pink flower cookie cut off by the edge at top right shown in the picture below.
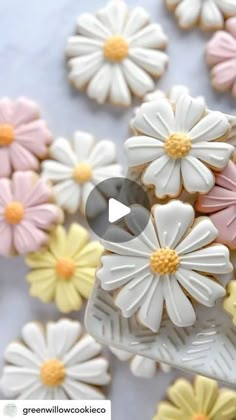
(221, 56)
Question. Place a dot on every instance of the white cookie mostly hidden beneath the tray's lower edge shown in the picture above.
(140, 366)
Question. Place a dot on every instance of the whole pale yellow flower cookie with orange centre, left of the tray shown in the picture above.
(64, 271)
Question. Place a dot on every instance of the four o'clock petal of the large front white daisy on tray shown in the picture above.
(201, 288)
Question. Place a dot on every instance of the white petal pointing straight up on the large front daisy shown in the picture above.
(172, 221)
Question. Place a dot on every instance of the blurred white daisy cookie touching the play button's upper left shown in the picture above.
(77, 167)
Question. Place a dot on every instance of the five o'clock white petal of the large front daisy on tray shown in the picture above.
(178, 306)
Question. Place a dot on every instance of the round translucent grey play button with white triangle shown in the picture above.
(127, 204)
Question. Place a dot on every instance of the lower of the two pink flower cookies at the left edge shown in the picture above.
(26, 213)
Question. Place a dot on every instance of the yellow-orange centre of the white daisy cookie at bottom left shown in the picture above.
(52, 373)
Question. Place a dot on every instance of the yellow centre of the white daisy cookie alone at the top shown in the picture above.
(116, 48)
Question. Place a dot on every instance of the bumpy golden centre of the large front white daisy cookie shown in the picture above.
(164, 261)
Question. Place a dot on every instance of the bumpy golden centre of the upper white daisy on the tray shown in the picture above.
(178, 145)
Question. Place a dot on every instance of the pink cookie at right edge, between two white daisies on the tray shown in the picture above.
(220, 203)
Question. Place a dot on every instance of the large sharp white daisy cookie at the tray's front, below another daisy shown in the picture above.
(170, 261)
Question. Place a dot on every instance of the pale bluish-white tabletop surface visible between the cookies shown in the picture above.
(33, 35)
